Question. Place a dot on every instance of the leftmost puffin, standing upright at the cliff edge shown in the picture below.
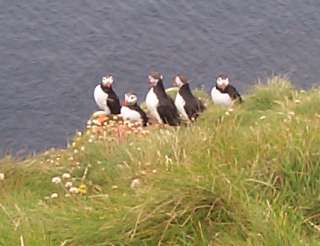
(104, 96)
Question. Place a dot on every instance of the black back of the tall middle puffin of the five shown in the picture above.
(166, 108)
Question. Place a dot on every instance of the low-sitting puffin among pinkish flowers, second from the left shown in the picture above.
(131, 111)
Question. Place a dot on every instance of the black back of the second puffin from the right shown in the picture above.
(193, 105)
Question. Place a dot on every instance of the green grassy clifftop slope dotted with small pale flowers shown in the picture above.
(247, 176)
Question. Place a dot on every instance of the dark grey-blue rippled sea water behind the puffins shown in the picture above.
(53, 53)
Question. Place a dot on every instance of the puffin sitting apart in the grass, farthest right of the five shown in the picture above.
(223, 93)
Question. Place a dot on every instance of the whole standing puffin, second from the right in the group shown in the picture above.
(187, 104)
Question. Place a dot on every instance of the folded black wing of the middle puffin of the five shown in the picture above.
(168, 112)
